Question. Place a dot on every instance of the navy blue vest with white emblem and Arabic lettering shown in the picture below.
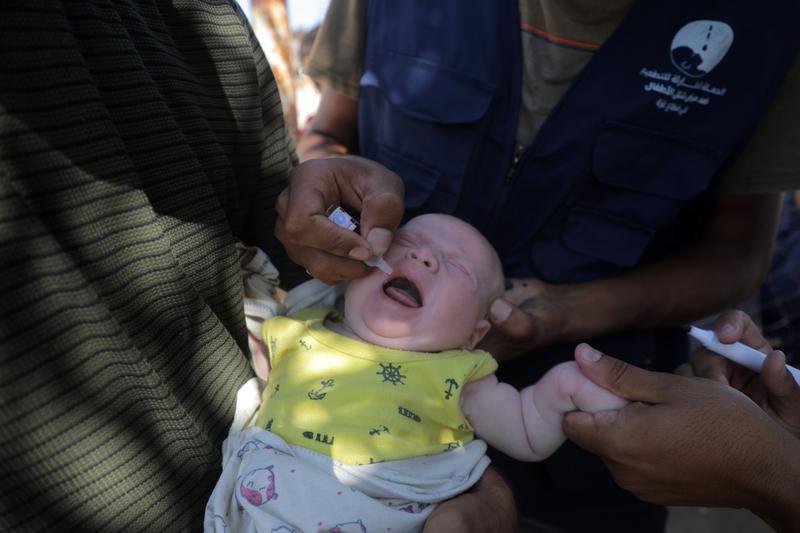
(619, 174)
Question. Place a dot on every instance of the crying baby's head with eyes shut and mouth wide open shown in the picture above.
(445, 273)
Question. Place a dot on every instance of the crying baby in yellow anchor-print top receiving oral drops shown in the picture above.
(369, 419)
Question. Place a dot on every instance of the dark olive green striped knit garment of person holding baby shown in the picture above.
(138, 140)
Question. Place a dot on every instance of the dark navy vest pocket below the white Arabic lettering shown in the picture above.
(641, 180)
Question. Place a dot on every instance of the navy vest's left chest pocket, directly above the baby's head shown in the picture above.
(425, 123)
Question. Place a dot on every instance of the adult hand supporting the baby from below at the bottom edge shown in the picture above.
(487, 507)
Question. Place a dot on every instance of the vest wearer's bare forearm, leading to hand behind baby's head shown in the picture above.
(720, 270)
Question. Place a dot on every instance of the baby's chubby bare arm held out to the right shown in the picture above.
(526, 424)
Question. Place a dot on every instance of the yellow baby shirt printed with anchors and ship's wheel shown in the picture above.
(361, 403)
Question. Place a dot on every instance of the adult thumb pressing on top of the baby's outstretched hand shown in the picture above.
(621, 378)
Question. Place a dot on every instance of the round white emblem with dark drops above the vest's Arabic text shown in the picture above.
(699, 46)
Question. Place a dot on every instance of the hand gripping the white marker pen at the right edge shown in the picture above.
(774, 389)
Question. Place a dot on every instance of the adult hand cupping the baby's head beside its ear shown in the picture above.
(528, 316)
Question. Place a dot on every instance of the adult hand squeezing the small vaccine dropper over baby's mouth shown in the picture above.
(327, 251)
